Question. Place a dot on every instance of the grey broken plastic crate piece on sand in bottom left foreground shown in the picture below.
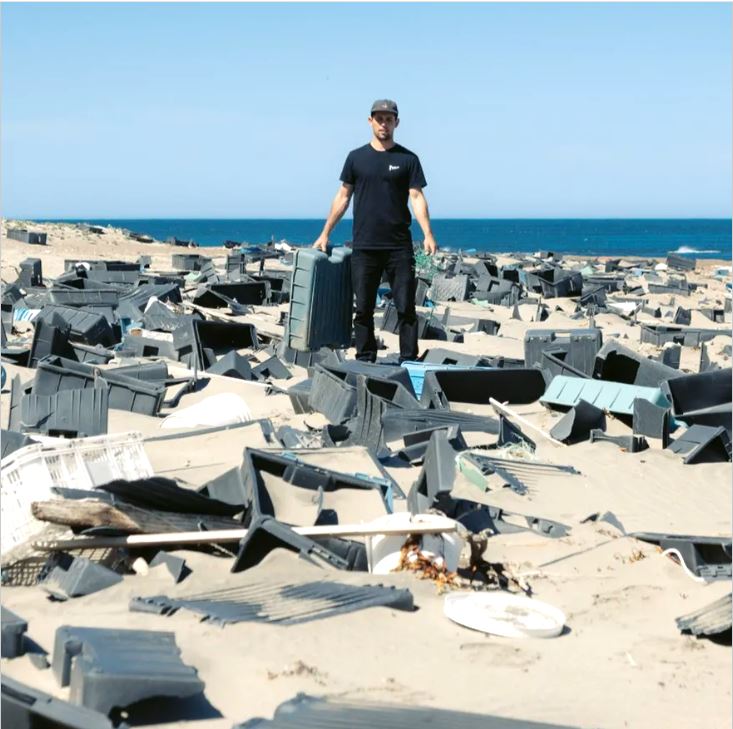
(108, 668)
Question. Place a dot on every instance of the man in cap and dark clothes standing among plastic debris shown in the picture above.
(382, 175)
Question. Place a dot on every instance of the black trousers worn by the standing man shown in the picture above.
(367, 267)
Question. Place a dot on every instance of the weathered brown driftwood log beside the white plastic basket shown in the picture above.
(85, 513)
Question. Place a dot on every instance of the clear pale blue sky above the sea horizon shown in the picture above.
(248, 110)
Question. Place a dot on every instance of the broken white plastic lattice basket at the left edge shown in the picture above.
(29, 474)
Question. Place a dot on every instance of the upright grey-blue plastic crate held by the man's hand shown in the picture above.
(320, 300)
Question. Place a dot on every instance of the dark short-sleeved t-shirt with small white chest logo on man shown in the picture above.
(382, 181)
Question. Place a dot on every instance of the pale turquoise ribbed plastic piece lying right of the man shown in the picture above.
(615, 397)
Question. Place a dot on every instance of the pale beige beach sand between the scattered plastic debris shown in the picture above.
(621, 661)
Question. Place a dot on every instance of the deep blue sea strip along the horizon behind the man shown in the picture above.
(702, 238)
